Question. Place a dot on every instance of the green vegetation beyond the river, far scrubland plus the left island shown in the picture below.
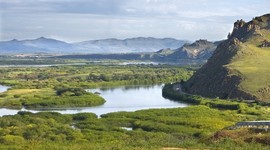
(63, 86)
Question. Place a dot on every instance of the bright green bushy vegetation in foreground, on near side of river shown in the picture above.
(199, 127)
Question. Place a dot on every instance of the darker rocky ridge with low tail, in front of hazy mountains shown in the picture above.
(200, 51)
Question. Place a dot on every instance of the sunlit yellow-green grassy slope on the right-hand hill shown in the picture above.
(254, 66)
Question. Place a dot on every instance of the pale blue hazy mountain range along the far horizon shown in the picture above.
(53, 46)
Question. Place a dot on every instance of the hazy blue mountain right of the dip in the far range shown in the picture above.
(131, 45)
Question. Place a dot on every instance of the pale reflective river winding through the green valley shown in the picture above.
(127, 98)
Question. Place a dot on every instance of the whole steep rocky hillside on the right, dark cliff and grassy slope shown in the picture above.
(239, 67)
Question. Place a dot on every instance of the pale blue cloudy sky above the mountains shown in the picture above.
(81, 20)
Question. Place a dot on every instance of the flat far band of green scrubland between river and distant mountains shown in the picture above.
(90, 75)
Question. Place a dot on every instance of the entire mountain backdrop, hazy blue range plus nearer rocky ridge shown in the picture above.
(140, 48)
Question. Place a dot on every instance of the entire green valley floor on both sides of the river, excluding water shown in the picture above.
(200, 126)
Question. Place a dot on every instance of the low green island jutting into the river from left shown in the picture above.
(49, 98)
